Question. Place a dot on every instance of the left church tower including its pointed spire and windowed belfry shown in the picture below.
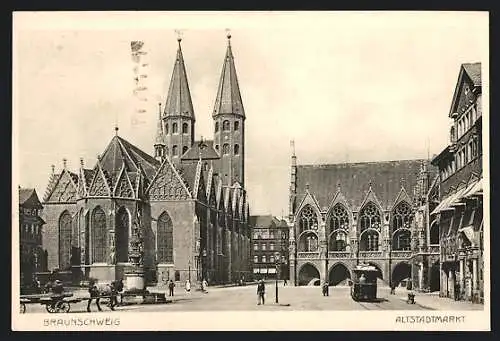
(178, 116)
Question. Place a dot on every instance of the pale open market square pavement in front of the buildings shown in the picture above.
(290, 299)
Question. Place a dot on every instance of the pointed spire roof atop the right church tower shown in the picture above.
(228, 100)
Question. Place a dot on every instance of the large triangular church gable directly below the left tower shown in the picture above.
(167, 184)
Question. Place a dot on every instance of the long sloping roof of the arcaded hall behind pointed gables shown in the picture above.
(354, 180)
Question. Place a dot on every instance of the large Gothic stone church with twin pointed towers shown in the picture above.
(187, 203)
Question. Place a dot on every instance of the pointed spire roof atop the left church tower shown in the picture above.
(179, 101)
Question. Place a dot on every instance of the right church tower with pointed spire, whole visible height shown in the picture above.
(229, 123)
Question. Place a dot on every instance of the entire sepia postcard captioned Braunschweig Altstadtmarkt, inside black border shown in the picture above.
(269, 164)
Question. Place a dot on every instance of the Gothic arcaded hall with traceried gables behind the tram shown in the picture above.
(350, 213)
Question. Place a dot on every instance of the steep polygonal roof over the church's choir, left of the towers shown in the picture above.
(119, 152)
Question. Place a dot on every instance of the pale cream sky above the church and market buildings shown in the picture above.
(345, 86)
